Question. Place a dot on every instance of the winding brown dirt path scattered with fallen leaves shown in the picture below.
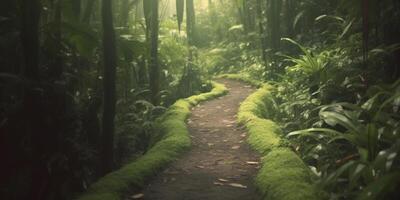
(217, 167)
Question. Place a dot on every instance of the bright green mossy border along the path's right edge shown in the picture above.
(283, 175)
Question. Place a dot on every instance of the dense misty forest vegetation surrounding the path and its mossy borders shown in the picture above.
(82, 83)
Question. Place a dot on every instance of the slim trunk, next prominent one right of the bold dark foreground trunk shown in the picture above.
(154, 68)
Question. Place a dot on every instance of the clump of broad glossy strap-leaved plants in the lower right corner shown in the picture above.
(370, 131)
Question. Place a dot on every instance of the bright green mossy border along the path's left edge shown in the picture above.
(174, 142)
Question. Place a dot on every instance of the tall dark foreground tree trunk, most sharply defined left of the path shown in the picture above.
(110, 60)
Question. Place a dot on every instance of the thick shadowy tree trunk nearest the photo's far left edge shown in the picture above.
(32, 123)
